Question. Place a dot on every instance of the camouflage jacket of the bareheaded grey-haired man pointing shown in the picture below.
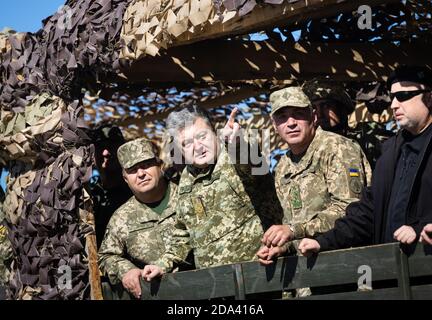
(221, 215)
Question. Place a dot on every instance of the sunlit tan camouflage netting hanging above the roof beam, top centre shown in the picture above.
(150, 25)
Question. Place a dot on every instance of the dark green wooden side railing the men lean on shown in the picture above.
(246, 280)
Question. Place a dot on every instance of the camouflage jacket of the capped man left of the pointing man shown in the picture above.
(135, 237)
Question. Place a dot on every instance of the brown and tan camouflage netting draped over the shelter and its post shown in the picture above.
(43, 137)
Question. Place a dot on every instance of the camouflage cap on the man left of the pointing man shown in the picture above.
(135, 151)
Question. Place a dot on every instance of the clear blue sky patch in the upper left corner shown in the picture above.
(26, 15)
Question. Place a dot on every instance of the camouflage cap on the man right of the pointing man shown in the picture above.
(288, 97)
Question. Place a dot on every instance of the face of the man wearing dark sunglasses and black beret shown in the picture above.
(413, 114)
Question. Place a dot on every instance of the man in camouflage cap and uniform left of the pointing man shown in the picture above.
(137, 231)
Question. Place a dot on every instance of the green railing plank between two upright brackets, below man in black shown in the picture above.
(328, 268)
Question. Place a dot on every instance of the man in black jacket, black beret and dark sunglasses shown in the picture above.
(398, 204)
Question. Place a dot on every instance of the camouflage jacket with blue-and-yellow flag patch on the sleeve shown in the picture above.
(315, 191)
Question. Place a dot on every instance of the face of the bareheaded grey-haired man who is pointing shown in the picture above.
(198, 143)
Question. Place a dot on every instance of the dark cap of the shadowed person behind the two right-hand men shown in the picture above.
(320, 90)
